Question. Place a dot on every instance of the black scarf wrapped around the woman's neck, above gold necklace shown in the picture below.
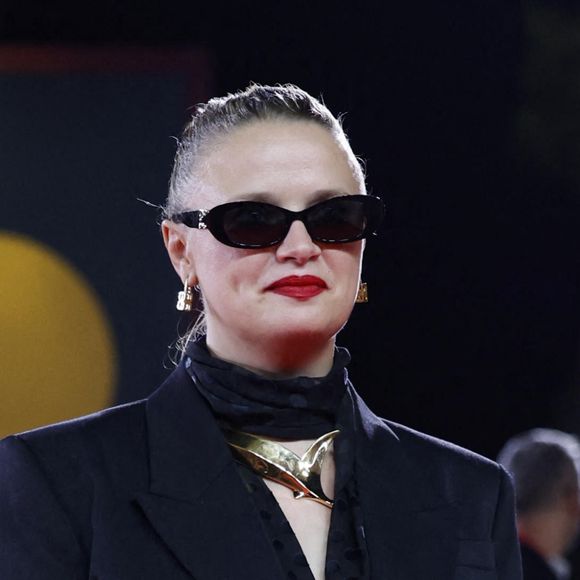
(297, 408)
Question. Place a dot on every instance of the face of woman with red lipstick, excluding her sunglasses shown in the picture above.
(292, 164)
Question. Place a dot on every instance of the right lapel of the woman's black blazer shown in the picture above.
(409, 527)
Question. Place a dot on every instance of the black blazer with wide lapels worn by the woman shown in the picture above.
(149, 490)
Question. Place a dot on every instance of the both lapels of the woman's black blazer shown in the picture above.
(197, 502)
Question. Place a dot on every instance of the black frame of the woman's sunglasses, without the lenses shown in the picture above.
(212, 219)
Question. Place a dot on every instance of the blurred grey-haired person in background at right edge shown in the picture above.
(544, 464)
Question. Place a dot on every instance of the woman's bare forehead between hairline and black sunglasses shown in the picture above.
(286, 162)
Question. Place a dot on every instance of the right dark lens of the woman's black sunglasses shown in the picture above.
(341, 219)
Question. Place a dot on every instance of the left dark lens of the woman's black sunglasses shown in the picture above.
(253, 225)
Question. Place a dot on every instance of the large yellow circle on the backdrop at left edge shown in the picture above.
(57, 357)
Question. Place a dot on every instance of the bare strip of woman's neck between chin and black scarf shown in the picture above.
(278, 360)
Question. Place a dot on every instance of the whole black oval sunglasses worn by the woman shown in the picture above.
(253, 224)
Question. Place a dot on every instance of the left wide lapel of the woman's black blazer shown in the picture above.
(196, 501)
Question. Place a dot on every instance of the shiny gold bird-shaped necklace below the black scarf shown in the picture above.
(274, 461)
